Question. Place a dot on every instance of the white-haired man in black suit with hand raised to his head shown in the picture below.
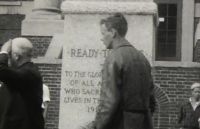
(21, 93)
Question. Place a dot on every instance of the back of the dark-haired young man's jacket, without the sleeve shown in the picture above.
(135, 76)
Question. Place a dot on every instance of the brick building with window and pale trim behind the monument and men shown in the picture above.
(175, 64)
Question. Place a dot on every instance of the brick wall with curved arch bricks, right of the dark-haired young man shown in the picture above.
(174, 85)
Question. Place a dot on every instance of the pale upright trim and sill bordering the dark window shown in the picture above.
(187, 36)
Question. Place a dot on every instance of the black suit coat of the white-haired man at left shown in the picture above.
(20, 96)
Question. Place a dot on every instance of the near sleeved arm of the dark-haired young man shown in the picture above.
(109, 97)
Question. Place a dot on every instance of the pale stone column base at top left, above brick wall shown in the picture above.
(45, 19)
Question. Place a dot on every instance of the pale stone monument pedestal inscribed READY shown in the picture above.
(84, 53)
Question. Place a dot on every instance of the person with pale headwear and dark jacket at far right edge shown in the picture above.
(189, 115)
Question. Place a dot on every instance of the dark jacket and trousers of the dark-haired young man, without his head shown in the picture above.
(126, 89)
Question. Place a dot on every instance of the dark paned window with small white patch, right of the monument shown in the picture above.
(168, 39)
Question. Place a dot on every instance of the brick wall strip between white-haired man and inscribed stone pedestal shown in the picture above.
(52, 77)
